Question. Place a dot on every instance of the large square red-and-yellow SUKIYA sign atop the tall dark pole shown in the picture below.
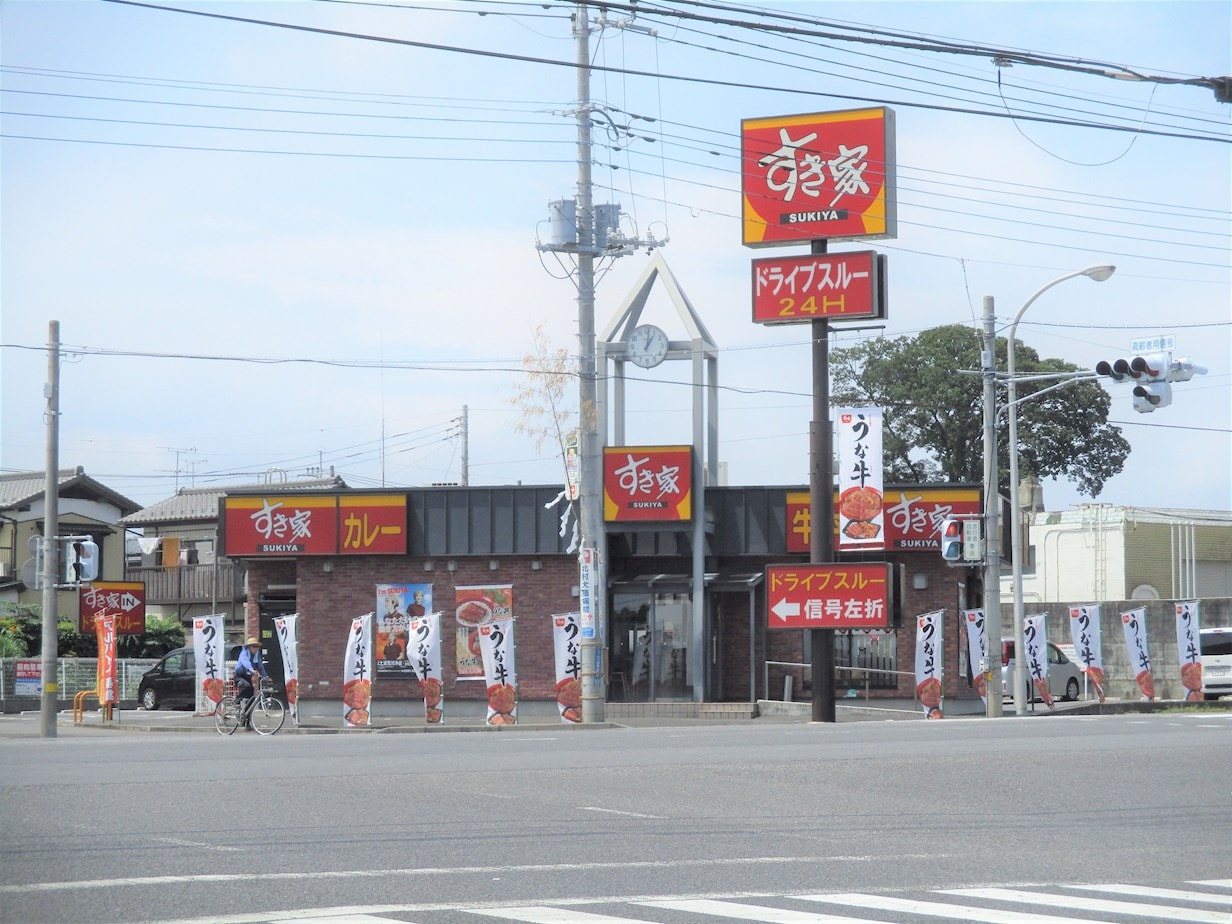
(820, 176)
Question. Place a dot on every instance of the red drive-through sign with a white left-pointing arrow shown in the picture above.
(829, 596)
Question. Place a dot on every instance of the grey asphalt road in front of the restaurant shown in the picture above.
(150, 827)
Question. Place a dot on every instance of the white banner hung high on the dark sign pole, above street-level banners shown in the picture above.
(862, 519)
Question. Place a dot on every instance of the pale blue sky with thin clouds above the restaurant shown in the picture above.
(275, 252)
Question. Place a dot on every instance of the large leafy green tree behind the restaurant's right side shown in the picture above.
(934, 416)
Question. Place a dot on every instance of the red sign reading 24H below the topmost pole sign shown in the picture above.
(833, 286)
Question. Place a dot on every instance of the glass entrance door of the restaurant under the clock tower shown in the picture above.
(651, 633)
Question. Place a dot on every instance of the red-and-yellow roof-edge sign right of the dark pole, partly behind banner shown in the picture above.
(912, 518)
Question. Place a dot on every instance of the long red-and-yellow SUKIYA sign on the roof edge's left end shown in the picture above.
(315, 525)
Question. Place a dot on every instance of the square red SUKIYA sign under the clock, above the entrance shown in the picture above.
(647, 484)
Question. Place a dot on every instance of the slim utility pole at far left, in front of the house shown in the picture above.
(51, 528)
